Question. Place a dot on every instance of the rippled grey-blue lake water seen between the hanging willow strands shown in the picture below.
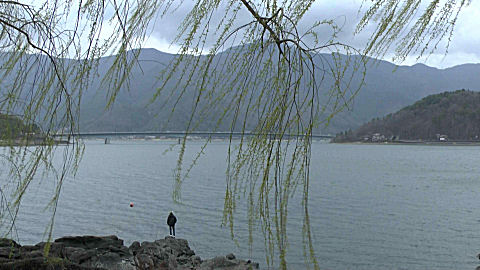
(371, 206)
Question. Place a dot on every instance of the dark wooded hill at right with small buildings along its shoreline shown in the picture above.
(449, 115)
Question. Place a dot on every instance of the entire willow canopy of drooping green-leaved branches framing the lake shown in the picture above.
(272, 74)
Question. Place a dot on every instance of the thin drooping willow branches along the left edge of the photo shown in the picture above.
(48, 55)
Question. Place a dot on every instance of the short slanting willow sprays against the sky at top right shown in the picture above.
(433, 24)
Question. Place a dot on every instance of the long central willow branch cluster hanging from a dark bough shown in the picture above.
(277, 83)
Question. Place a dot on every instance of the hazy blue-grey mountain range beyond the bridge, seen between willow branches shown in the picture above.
(387, 88)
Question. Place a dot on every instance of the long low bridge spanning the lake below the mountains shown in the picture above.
(174, 134)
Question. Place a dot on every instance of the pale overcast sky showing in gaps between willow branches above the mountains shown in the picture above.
(464, 48)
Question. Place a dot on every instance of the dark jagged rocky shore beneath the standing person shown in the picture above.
(109, 253)
